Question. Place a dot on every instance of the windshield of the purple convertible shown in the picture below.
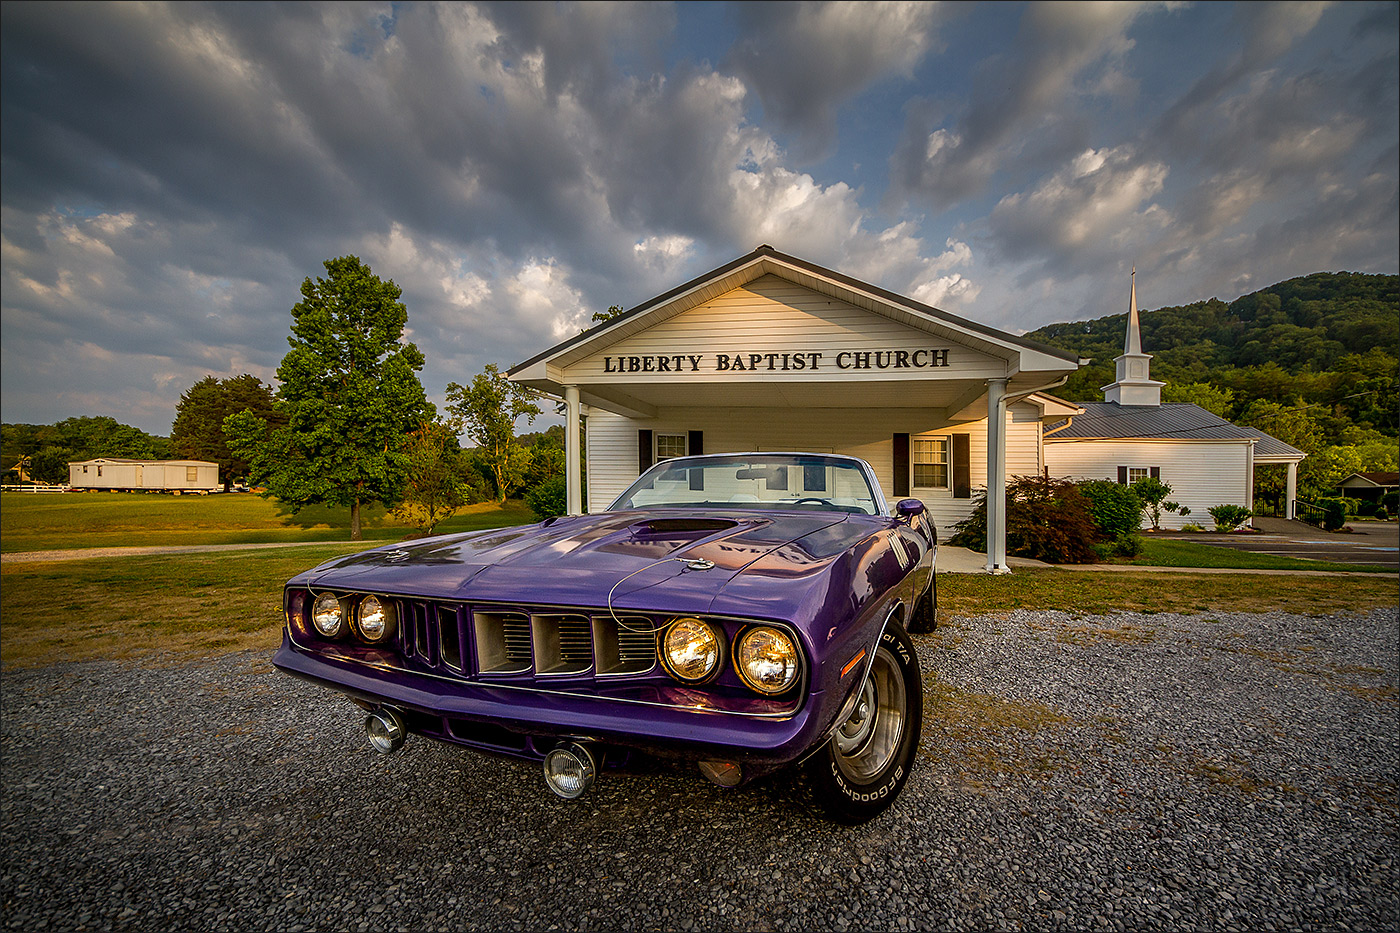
(755, 481)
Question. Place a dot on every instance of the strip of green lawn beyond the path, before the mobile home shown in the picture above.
(113, 520)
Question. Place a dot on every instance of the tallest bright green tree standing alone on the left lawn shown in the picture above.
(351, 394)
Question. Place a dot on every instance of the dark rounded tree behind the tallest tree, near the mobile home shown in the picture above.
(198, 432)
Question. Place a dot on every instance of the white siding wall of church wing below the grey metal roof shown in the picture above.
(1202, 474)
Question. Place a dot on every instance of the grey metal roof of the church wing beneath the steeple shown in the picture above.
(1171, 421)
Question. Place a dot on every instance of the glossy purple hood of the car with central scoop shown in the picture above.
(647, 561)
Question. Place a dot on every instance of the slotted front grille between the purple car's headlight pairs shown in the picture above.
(502, 642)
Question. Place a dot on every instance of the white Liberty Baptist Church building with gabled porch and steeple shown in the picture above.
(772, 352)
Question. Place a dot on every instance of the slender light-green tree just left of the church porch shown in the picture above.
(486, 413)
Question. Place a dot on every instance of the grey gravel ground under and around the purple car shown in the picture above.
(1213, 773)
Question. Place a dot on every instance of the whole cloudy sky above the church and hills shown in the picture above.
(173, 173)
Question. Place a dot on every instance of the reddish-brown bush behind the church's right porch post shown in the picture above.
(1046, 520)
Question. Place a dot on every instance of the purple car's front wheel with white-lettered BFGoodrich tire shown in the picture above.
(867, 761)
